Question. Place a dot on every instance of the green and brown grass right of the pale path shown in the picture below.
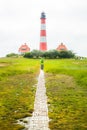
(66, 82)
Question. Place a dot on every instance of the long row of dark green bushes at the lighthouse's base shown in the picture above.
(51, 54)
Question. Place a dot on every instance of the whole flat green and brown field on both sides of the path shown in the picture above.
(66, 84)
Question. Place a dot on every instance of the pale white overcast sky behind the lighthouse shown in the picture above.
(66, 21)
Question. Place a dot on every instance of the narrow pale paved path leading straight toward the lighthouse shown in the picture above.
(39, 120)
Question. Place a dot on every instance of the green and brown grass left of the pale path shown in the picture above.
(17, 90)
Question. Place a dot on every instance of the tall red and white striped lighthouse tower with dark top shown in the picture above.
(43, 42)
